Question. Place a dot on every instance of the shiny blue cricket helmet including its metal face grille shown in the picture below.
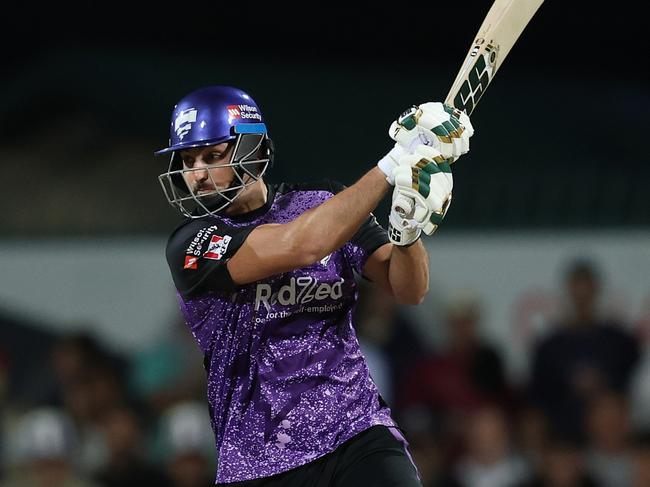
(210, 116)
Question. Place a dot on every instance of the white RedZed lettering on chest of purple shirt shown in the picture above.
(299, 291)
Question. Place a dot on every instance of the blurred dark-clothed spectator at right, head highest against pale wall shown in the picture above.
(583, 356)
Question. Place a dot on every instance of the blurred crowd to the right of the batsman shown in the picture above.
(570, 423)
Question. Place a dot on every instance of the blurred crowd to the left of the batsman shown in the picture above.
(84, 417)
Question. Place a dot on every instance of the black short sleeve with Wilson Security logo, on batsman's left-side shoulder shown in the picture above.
(197, 254)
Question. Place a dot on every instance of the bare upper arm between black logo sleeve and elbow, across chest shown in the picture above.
(268, 250)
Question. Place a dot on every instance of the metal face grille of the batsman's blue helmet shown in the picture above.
(248, 168)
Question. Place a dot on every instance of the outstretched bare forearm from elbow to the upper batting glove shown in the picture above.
(325, 228)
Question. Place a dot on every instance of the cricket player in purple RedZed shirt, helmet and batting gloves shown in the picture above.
(265, 275)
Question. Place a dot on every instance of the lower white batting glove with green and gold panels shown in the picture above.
(422, 194)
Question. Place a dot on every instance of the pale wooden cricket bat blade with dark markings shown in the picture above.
(501, 28)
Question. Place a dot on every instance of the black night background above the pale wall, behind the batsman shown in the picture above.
(88, 93)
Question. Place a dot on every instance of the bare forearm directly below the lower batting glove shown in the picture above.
(408, 273)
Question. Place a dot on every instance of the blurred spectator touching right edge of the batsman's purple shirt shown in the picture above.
(387, 339)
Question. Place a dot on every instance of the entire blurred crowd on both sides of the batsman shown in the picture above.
(83, 416)
